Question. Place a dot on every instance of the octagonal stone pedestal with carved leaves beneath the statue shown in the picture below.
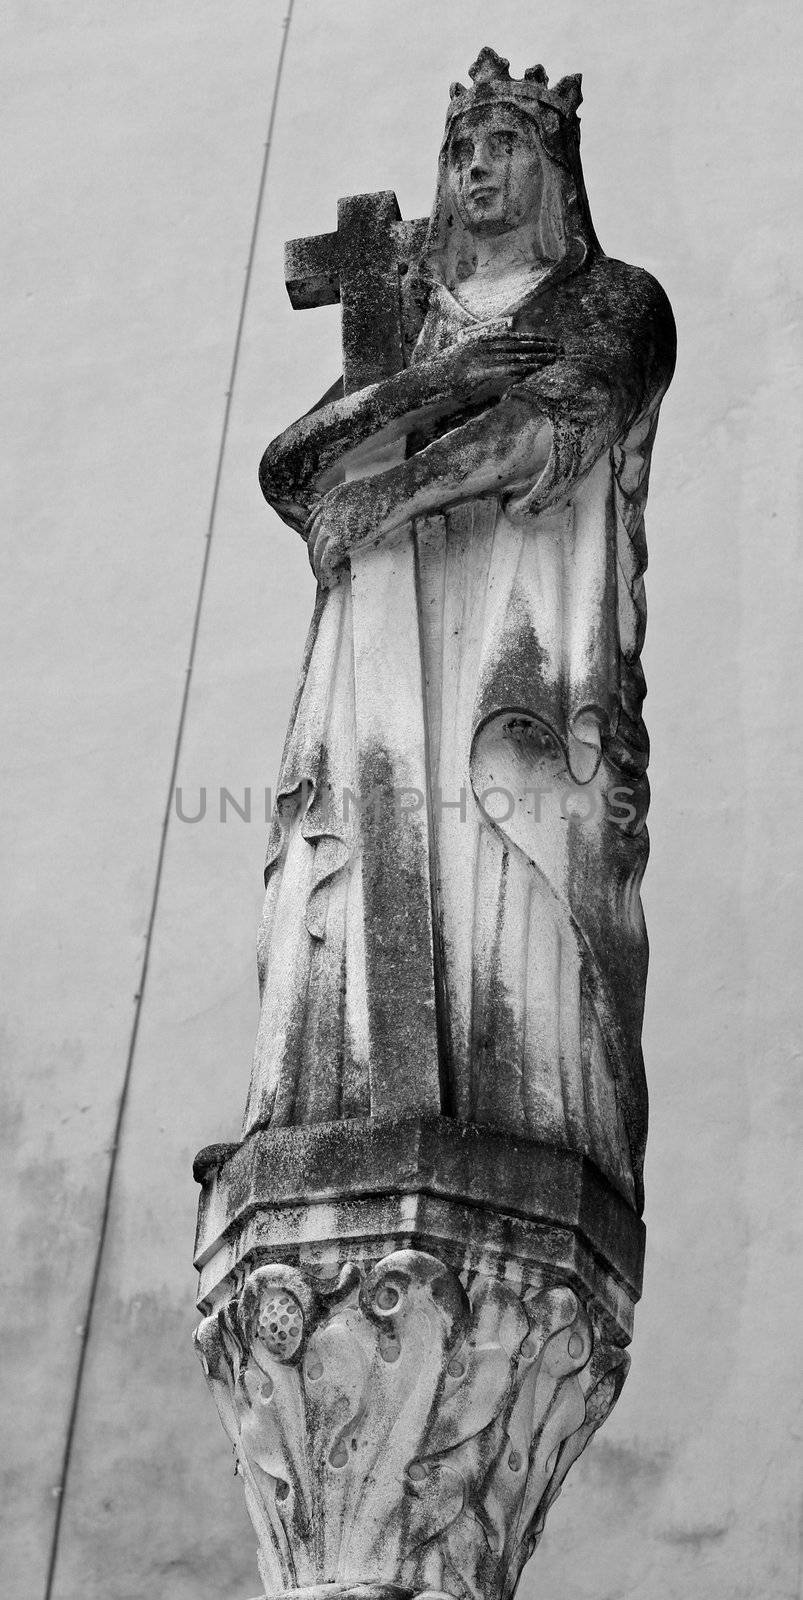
(412, 1332)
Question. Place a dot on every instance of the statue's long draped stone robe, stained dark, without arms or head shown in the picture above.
(532, 618)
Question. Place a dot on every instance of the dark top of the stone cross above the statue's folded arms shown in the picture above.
(361, 268)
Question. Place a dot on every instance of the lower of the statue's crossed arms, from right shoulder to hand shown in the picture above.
(540, 439)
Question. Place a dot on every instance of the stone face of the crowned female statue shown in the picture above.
(495, 170)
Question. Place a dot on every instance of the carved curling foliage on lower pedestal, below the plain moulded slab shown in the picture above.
(396, 1426)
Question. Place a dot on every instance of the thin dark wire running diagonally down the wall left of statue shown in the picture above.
(166, 825)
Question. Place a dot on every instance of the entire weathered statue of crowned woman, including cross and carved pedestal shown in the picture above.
(453, 953)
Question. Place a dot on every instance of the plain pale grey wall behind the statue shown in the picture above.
(134, 145)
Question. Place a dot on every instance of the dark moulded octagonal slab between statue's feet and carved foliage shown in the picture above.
(471, 1193)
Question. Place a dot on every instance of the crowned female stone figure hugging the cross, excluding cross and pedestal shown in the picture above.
(527, 414)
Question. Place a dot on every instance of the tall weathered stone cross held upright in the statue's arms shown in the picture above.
(361, 268)
